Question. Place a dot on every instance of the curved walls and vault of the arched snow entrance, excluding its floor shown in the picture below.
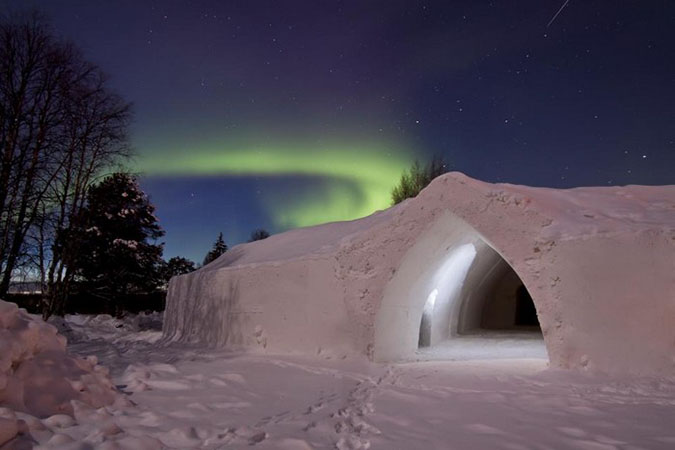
(450, 282)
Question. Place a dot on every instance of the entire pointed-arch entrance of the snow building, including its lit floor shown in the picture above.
(455, 297)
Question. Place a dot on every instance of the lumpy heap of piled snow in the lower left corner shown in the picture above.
(39, 380)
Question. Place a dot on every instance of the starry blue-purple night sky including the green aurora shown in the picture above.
(279, 114)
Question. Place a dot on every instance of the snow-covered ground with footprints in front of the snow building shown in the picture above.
(182, 397)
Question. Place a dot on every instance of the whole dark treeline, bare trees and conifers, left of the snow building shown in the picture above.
(70, 217)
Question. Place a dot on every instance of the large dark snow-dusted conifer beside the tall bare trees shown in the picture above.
(117, 255)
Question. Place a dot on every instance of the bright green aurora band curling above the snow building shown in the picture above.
(355, 180)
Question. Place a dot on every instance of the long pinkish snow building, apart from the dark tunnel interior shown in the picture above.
(598, 262)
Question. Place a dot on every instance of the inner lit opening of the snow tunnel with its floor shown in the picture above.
(478, 308)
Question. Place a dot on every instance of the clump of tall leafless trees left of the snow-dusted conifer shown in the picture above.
(60, 129)
